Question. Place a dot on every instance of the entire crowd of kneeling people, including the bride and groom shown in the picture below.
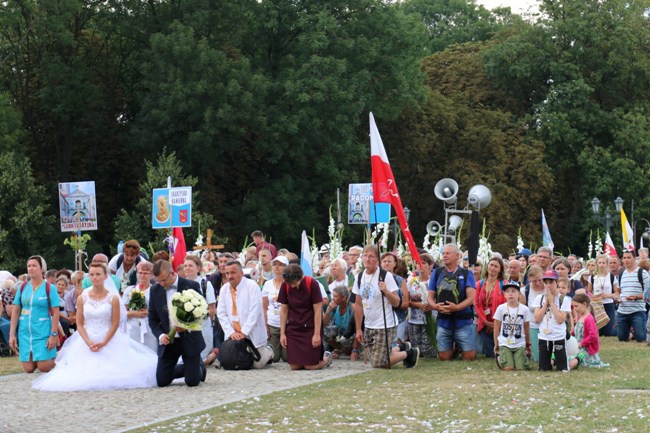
(365, 305)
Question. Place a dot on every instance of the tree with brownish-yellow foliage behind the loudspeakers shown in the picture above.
(466, 132)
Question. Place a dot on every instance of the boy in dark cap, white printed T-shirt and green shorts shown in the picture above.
(512, 331)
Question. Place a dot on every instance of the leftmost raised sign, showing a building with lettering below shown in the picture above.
(77, 206)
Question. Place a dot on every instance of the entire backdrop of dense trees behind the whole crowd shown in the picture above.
(263, 108)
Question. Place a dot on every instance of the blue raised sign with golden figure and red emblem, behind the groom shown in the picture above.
(171, 207)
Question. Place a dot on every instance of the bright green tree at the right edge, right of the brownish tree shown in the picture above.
(582, 79)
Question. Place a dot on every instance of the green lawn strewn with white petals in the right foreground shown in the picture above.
(451, 397)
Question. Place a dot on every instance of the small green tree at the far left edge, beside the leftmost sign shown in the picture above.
(26, 224)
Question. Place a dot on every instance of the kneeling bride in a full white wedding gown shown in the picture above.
(99, 355)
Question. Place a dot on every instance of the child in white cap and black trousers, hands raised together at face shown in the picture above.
(552, 327)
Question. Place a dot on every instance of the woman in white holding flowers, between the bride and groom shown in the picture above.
(136, 299)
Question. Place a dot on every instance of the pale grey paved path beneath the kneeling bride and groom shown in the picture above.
(25, 410)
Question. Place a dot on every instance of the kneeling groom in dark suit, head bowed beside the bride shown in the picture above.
(187, 344)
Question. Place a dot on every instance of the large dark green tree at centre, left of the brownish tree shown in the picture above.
(269, 121)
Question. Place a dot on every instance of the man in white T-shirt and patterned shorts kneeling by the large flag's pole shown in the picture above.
(375, 299)
